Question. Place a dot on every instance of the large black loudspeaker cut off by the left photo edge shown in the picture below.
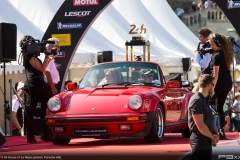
(8, 41)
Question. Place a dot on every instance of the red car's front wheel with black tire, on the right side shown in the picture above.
(156, 134)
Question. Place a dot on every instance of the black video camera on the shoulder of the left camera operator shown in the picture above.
(34, 46)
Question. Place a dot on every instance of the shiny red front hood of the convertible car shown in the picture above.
(103, 100)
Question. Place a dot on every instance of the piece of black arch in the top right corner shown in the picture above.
(231, 9)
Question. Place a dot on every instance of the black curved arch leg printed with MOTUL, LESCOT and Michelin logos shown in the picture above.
(69, 25)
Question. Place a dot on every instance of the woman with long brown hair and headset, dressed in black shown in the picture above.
(222, 59)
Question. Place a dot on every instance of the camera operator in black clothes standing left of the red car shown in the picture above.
(35, 90)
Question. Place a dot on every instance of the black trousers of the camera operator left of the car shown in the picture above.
(31, 97)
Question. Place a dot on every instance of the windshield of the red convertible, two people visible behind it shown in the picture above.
(122, 73)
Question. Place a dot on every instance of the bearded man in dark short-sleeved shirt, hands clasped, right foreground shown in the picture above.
(200, 121)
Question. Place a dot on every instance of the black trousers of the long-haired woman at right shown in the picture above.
(223, 87)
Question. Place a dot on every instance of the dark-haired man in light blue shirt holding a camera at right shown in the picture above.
(204, 59)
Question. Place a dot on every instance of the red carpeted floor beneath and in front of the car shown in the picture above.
(174, 146)
